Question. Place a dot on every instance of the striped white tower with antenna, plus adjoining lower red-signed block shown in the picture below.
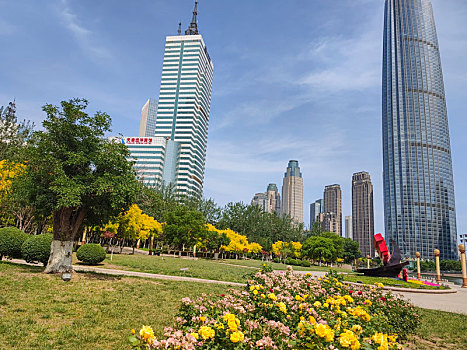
(182, 116)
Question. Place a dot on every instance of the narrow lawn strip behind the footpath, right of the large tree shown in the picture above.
(200, 268)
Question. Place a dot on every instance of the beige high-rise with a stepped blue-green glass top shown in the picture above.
(292, 192)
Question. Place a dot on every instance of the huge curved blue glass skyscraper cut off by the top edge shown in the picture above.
(418, 182)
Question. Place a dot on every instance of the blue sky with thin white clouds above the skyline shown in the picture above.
(297, 79)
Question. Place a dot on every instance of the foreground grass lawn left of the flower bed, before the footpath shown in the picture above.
(92, 311)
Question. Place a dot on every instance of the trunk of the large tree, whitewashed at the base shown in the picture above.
(66, 224)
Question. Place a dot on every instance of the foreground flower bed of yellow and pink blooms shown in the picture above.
(288, 311)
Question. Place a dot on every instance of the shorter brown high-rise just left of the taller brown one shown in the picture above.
(333, 209)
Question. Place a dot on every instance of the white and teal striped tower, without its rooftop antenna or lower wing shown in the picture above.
(184, 108)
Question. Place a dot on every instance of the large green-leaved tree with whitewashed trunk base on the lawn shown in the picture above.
(76, 174)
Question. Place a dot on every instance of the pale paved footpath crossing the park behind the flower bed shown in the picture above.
(456, 302)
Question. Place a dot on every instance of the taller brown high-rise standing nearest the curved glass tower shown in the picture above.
(363, 213)
